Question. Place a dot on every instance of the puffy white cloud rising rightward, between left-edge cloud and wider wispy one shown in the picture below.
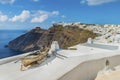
(22, 17)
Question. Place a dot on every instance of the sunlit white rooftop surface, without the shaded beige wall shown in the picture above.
(54, 67)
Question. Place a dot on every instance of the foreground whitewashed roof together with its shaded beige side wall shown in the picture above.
(81, 64)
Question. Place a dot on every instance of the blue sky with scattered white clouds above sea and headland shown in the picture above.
(27, 14)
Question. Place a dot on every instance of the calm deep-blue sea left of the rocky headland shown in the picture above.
(5, 37)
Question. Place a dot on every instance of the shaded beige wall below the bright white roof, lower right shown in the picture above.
(88, 70)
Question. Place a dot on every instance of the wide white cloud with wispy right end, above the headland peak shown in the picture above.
(41, 16)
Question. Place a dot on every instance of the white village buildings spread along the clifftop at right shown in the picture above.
(108, 33)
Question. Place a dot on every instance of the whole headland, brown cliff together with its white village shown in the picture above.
(67, 34)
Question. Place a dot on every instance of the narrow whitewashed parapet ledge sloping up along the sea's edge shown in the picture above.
(17, 57)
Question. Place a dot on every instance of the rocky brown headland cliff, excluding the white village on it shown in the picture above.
(36, 38)
